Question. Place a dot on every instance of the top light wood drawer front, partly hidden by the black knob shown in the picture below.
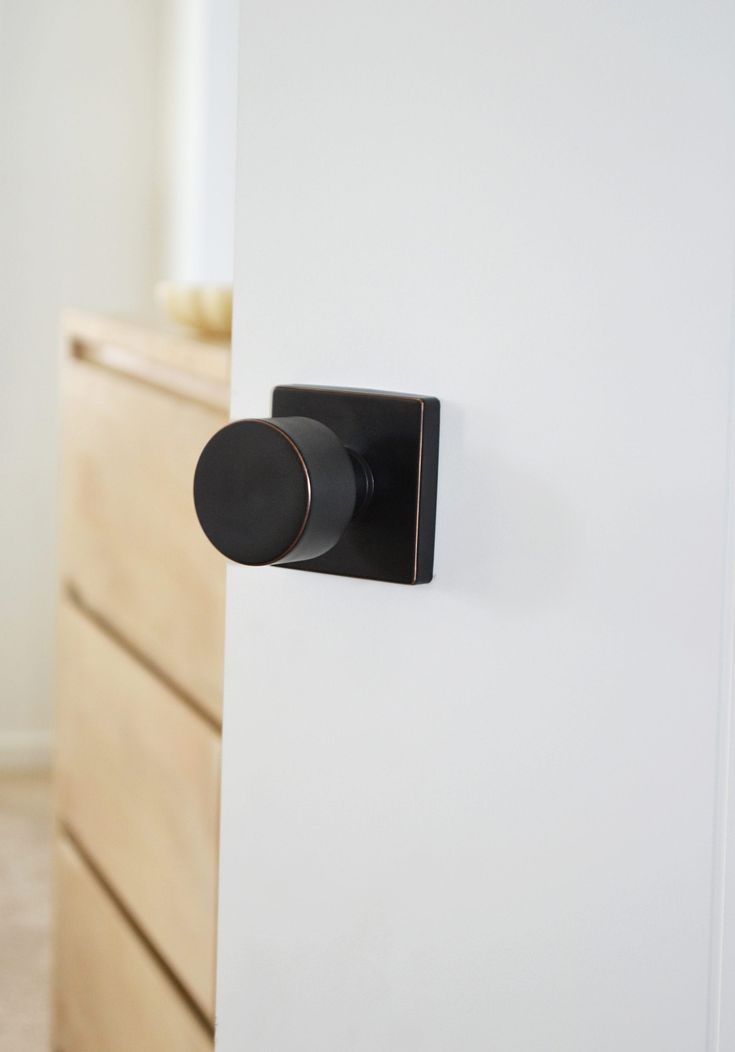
(132, 545)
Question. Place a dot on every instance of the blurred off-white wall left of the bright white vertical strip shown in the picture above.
(78, 227)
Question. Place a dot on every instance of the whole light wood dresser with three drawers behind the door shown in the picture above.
(140, 694)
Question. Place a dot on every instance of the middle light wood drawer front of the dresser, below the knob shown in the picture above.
(138, 785)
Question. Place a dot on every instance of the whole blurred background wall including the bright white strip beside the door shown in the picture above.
(117, 169)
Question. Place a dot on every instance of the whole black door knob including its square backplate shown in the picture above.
(336, 481)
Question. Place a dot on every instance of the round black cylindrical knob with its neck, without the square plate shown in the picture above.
(278, 491)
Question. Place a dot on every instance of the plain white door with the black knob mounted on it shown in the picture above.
(487, 815)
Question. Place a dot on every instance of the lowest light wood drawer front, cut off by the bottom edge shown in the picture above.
(112, 996)
